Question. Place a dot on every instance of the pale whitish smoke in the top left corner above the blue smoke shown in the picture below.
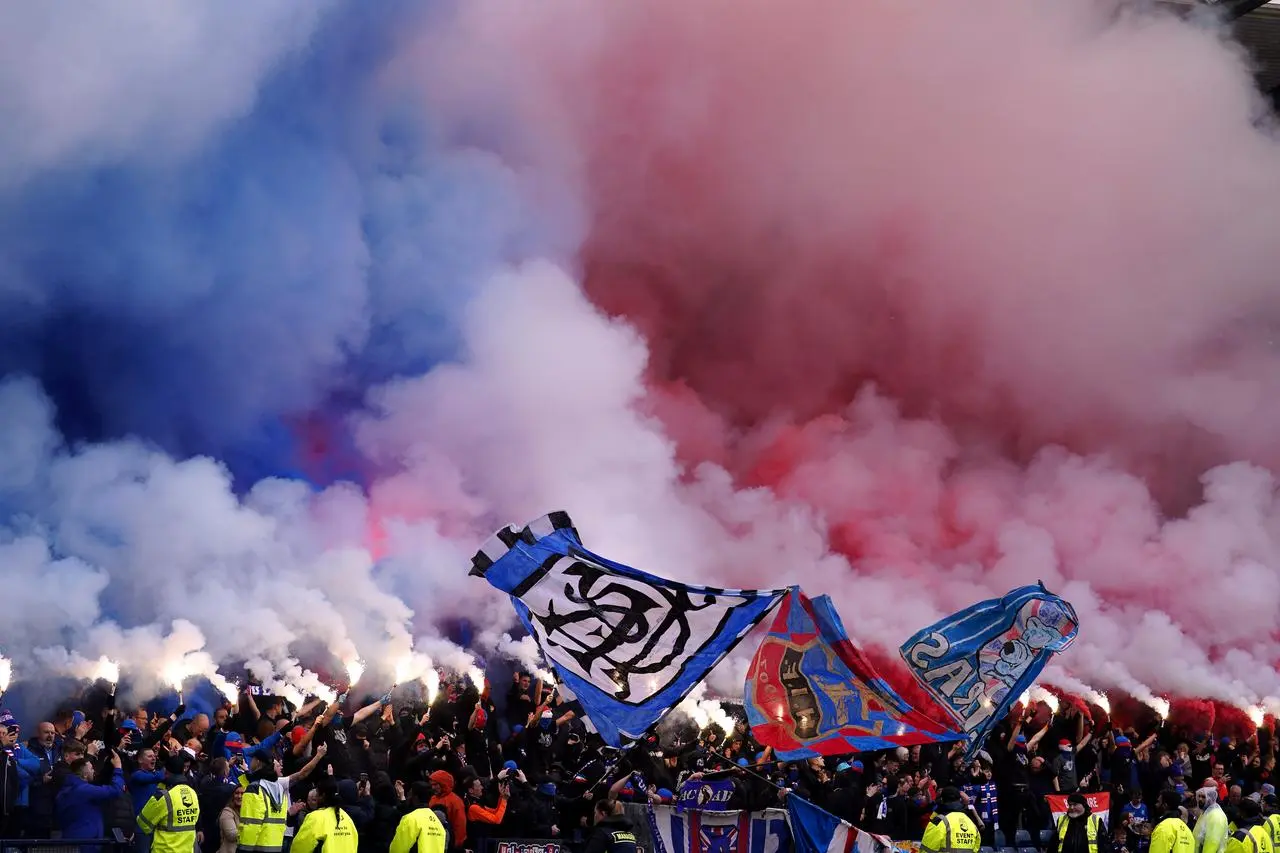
(136, 79)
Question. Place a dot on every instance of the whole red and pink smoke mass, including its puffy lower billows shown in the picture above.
(989, 288)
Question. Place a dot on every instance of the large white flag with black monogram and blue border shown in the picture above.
(629, 645)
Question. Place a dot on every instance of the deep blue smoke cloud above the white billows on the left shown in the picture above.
(203, 297)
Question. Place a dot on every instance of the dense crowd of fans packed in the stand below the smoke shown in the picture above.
(529, 768)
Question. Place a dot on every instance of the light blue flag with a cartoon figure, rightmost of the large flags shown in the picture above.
(977, 663)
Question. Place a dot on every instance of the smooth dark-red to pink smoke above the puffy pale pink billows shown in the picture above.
(1040, 230)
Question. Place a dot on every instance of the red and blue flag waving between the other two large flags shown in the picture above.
(811, 692)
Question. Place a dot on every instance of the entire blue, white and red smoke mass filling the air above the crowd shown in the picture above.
(908, 304)
